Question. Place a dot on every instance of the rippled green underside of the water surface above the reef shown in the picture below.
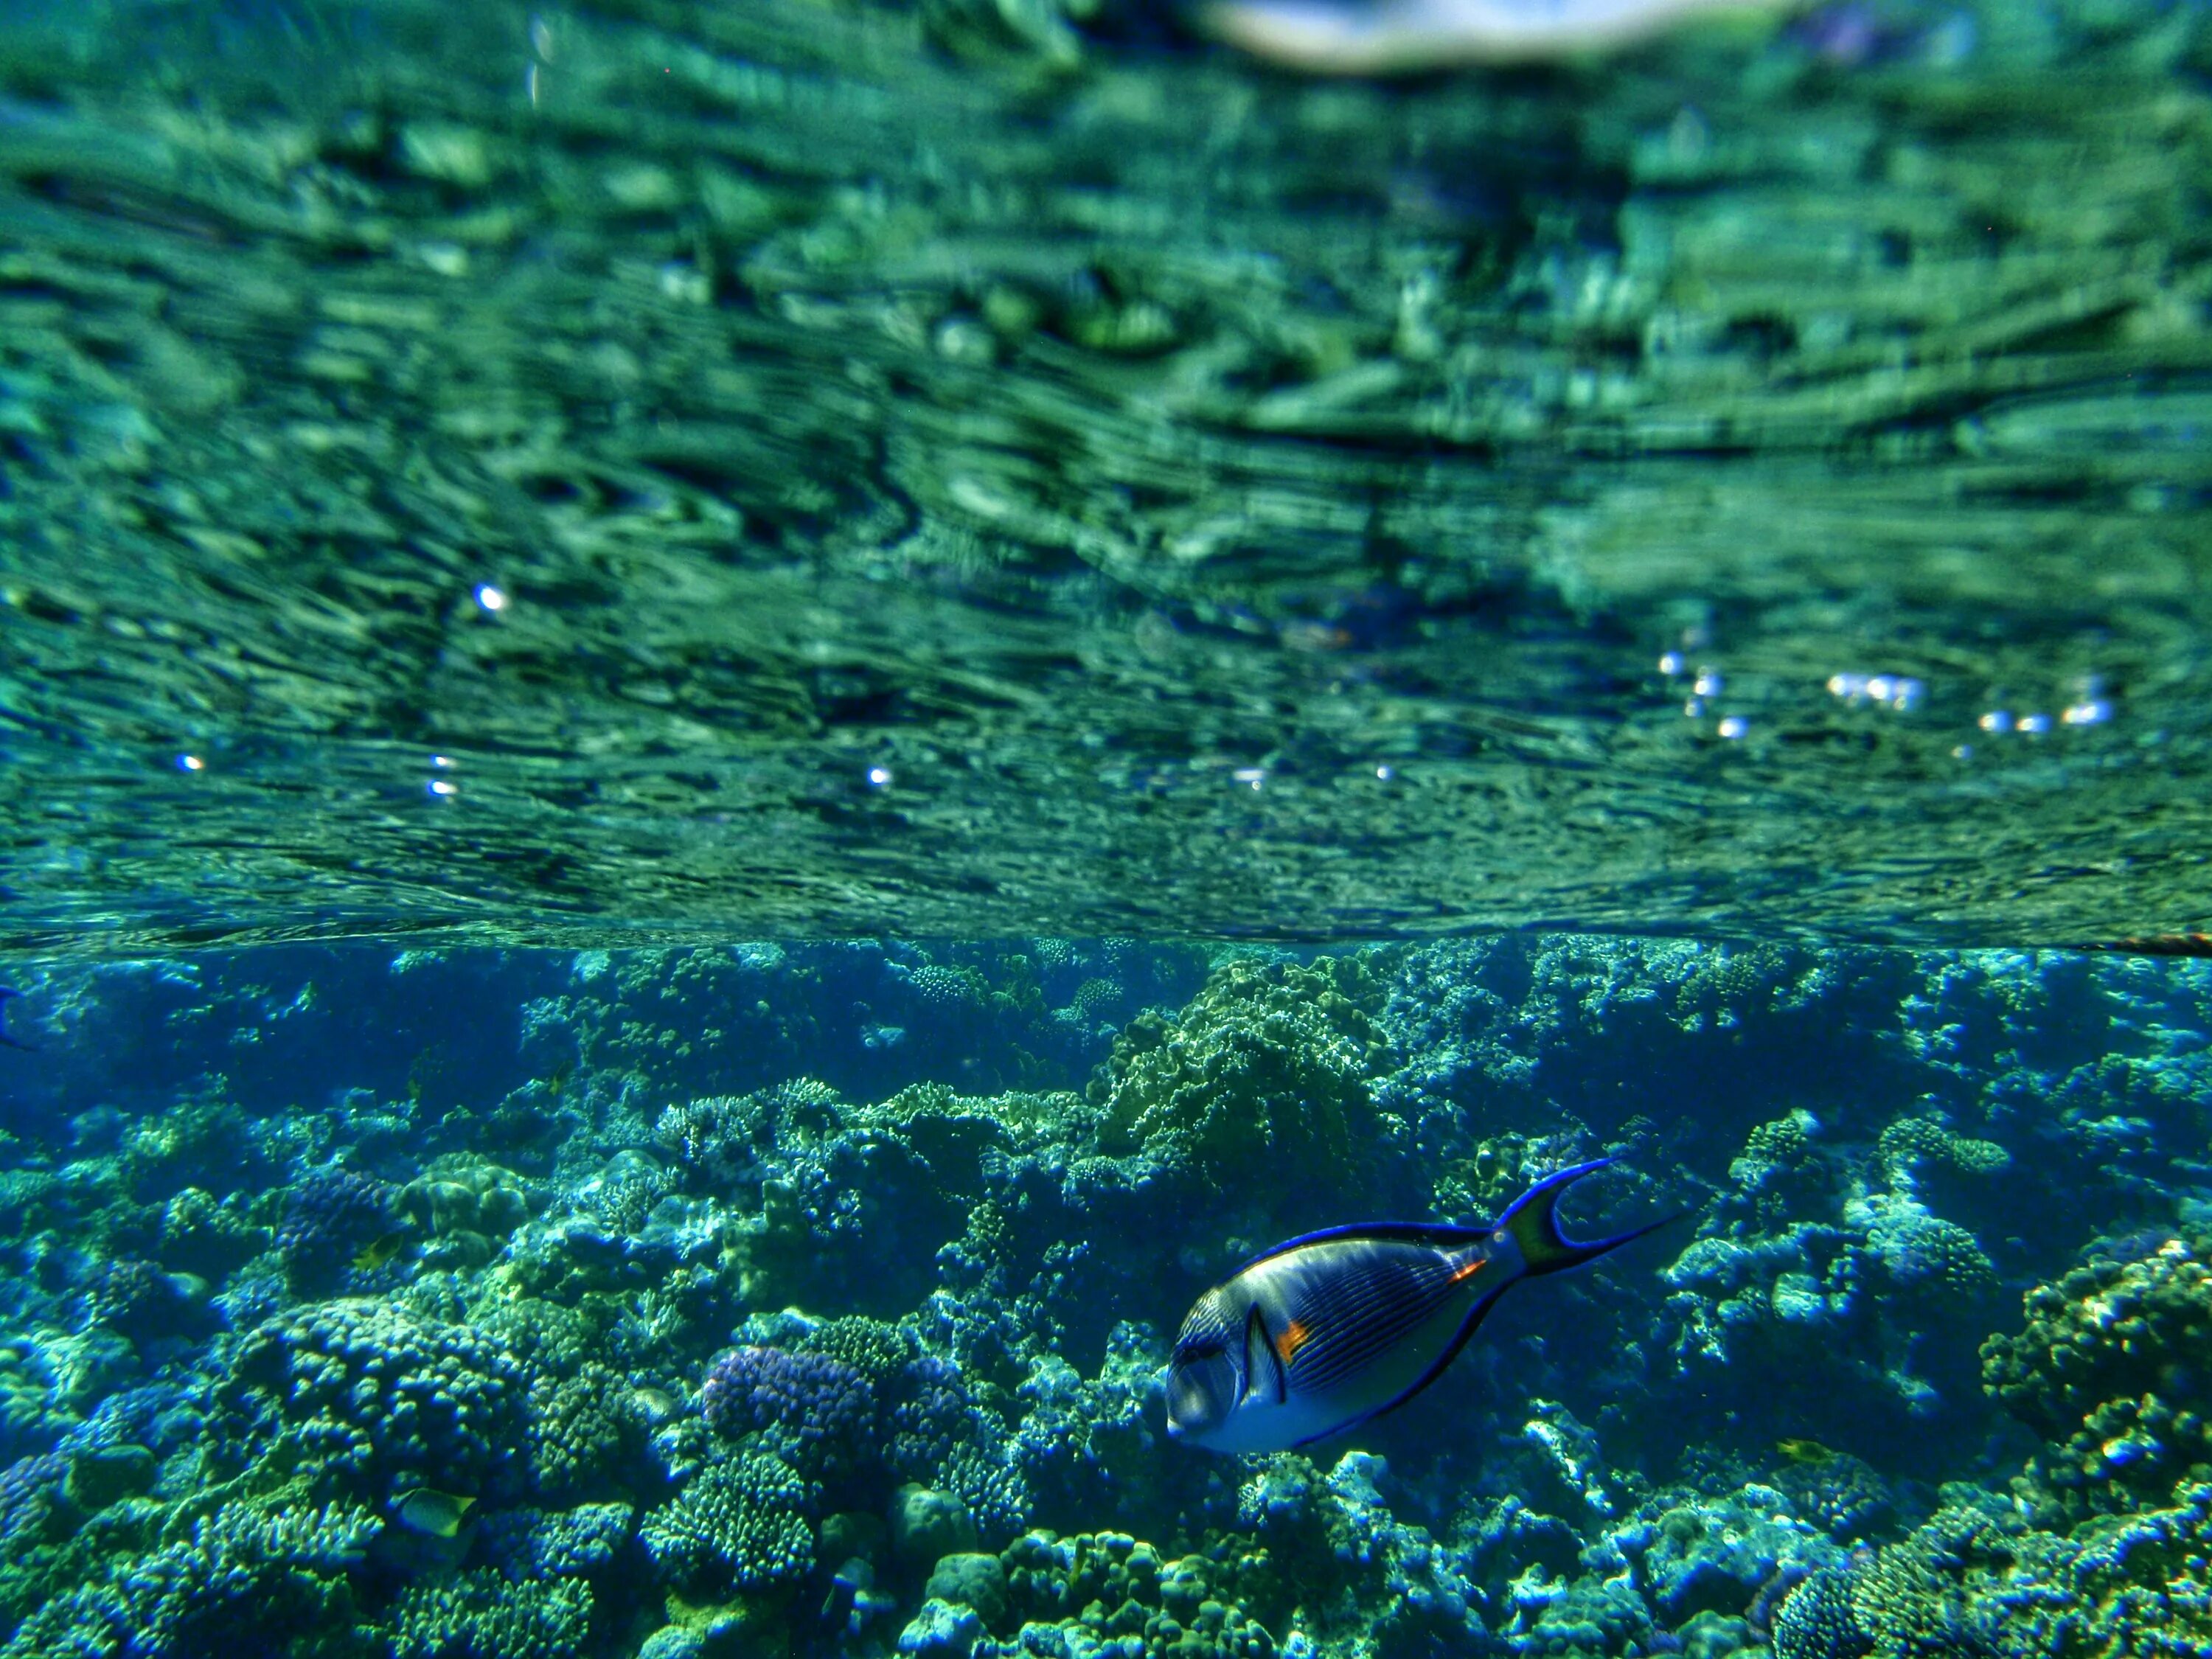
(649, 470)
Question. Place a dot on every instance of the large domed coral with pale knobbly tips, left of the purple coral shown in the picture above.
(379, 1397)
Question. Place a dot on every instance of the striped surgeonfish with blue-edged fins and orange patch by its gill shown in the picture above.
(1342, 1326)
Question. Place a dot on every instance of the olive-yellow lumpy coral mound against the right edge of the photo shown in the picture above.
(2111, 1370)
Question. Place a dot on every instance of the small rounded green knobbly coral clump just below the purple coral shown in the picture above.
(738, 1525)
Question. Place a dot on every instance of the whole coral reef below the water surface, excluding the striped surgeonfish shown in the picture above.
(669, 1304)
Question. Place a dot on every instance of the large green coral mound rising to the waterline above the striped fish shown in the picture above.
(1269, 1061)
